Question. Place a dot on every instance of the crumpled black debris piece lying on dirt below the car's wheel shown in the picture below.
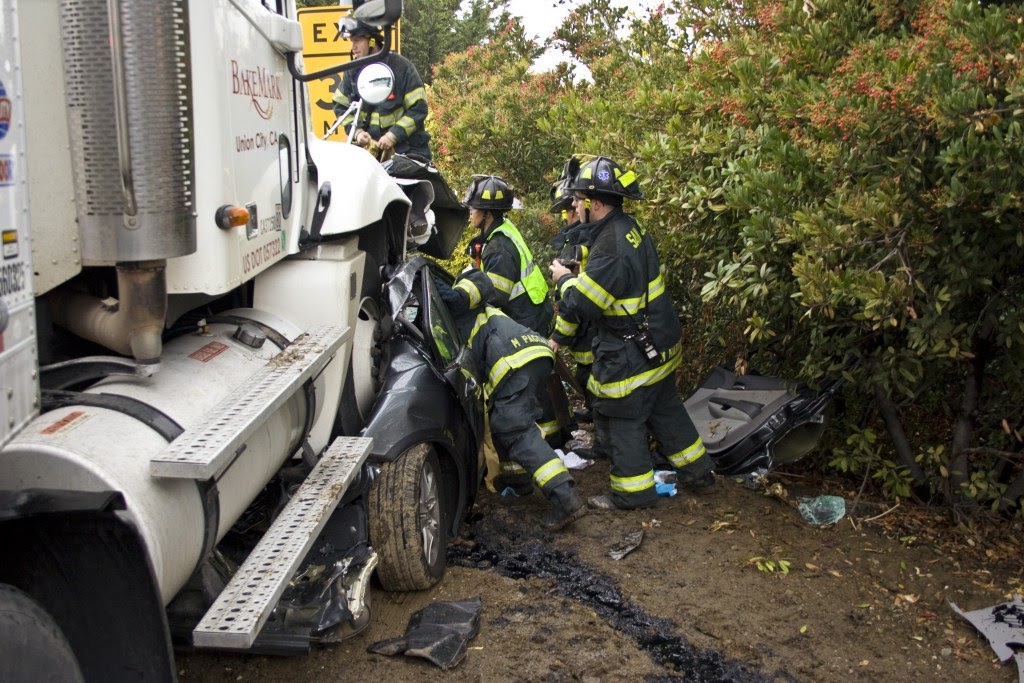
(438, 633)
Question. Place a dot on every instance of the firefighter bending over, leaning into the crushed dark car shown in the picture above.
(515, 361)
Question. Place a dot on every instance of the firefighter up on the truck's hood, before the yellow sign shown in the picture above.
(398, 123)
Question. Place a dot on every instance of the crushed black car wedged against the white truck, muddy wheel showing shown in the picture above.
(428, 424)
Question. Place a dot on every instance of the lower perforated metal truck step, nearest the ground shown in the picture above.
(244, 607)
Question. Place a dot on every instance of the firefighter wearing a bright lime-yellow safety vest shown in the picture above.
(521, 288)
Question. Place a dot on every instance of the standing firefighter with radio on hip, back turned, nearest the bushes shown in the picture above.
(638, 343)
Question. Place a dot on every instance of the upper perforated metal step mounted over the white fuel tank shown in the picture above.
(206, 450)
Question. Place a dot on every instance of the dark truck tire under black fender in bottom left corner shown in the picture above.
(32, 646)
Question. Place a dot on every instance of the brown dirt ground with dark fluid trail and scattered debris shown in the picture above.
(866, 600)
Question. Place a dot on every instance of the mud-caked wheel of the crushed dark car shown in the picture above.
(407, 524)
